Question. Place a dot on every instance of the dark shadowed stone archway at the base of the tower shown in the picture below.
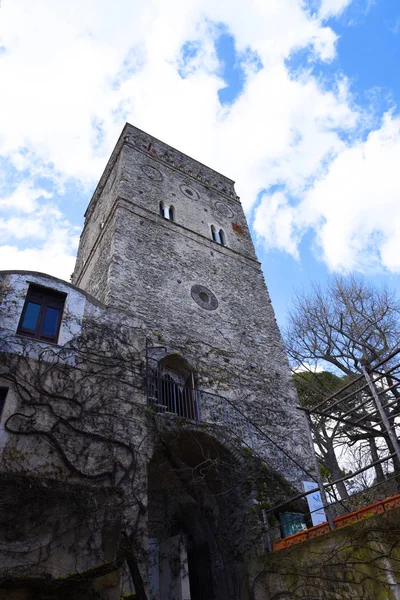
(197, 512)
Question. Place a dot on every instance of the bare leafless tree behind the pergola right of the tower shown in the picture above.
(343, 327)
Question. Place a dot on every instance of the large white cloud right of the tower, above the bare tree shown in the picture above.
(353, 208)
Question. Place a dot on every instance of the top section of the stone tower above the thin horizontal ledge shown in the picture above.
(145, 178)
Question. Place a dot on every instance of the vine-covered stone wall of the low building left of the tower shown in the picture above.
(69, 409)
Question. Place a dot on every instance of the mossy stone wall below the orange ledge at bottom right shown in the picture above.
(361, 561)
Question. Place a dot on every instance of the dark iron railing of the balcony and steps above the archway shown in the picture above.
(167, 396)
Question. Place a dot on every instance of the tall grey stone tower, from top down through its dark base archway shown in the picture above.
(166, 240)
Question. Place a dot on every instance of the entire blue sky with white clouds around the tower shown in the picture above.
(298, 101)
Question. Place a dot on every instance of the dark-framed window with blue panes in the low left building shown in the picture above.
(42, 313)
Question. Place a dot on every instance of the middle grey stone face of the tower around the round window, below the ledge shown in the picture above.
(236, 349)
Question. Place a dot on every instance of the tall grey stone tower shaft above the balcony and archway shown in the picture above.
(166, 238)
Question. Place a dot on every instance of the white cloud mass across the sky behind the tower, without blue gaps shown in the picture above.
(73, 72)
